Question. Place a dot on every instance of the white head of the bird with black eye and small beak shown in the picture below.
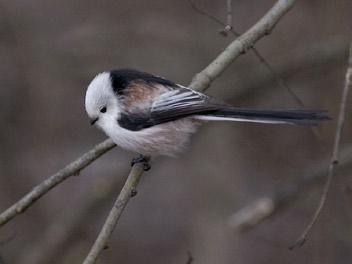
(100, 101)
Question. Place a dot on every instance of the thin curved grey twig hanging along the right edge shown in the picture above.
(335, 154)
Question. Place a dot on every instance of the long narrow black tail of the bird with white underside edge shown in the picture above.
(297, 117)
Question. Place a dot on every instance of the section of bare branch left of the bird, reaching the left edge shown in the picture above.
(71, 169)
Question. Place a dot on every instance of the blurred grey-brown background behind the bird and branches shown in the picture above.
(50, 51)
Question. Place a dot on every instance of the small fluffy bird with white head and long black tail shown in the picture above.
(152, 116)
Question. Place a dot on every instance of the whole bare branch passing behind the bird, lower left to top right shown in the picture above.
(201, 82)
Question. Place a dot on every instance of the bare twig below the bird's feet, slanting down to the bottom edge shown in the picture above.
(126, 193)
